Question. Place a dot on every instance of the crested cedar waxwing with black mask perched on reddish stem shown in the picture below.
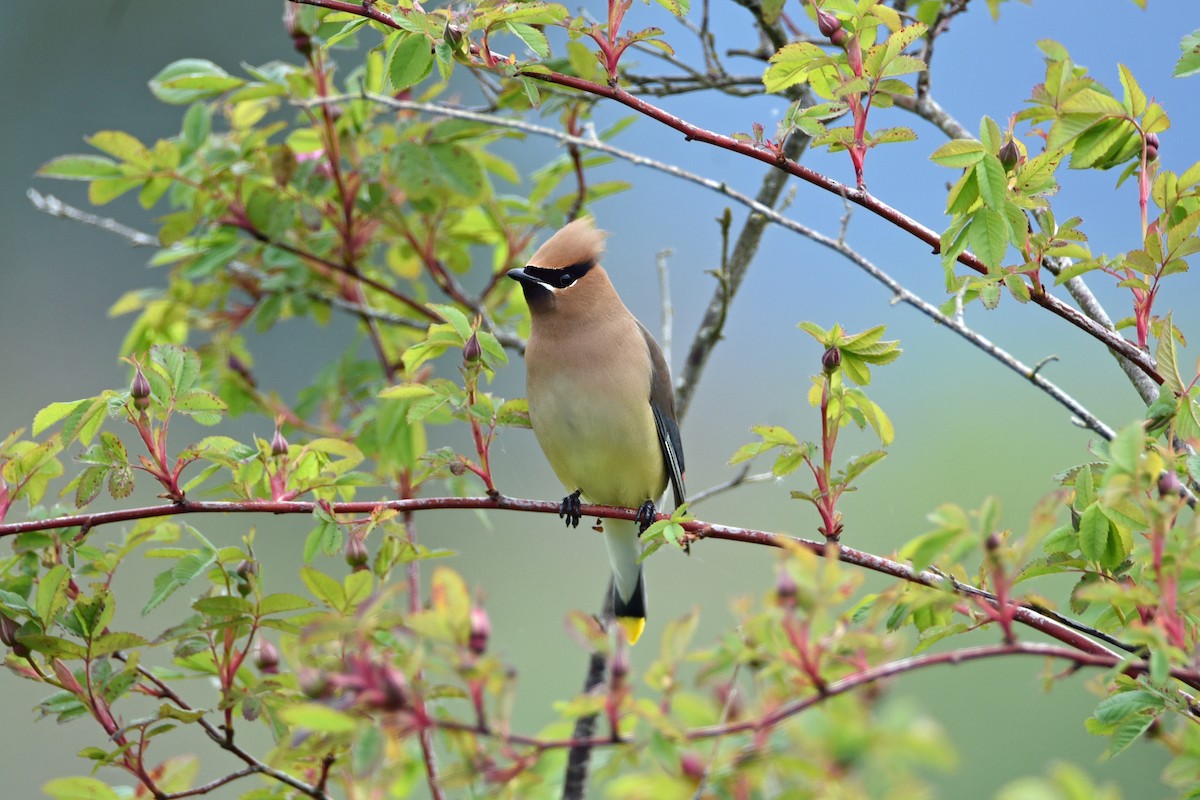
(601, 401)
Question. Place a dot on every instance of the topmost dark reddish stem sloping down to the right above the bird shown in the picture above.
(861, 197)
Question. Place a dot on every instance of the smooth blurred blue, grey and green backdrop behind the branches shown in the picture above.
(967, 429)
